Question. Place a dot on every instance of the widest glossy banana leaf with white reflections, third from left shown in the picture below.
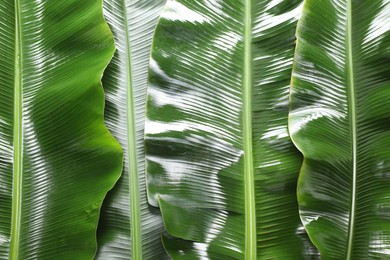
(220, 162)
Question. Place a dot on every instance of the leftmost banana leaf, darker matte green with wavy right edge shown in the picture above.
(57, 159)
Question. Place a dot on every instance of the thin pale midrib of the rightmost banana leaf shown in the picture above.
(352, 112)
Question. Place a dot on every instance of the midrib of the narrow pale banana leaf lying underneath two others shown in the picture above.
(132, 152)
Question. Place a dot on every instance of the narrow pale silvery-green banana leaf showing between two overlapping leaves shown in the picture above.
(130, 228)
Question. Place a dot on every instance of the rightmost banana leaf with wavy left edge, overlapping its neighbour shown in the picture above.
(340, 121)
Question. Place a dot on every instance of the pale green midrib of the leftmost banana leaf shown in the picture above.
(17, 140)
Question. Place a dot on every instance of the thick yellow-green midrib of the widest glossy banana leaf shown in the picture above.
(250, 206)
